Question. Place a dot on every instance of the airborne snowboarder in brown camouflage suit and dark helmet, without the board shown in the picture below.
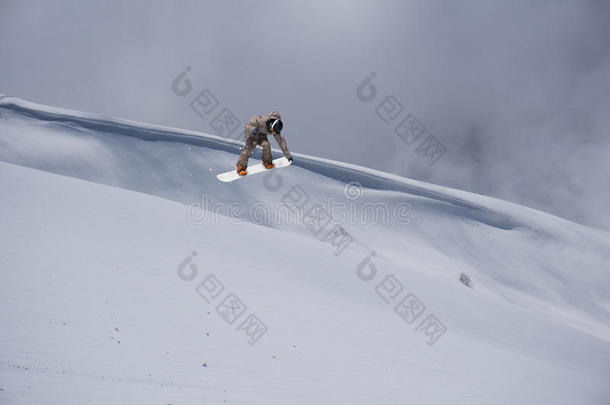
(256, 132)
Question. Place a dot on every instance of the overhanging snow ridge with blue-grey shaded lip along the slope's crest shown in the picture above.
(457, 202)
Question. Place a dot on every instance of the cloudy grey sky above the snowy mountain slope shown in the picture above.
(518, 91)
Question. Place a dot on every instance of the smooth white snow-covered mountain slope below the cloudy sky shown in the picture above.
(96, 310)
